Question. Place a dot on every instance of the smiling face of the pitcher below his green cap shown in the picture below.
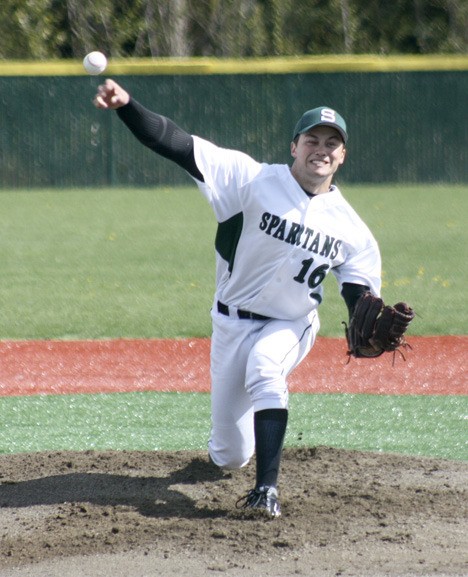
(318, 153)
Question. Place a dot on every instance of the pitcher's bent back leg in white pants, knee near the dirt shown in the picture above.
(231, 443)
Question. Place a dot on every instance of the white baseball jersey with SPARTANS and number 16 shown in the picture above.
(275, 244)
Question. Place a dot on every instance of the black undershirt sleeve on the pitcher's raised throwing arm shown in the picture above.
(161, 135)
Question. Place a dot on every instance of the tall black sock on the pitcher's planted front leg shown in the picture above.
(270, 429)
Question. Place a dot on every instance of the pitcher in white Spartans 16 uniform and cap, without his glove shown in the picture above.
(281, 230)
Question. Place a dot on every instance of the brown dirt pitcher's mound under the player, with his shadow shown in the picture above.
(159, 513)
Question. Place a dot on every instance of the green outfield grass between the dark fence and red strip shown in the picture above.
(88, 264)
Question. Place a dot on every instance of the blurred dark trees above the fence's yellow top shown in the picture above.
(49, 29)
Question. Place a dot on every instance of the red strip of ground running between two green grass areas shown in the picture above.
(435, 366)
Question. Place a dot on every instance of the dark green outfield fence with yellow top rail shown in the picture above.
(407, 116)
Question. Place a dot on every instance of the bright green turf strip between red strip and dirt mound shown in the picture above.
(420, 425)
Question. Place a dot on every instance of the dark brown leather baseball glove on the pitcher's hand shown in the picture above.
(376, 328)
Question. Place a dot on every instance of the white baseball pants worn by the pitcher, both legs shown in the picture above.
(250, 363)
